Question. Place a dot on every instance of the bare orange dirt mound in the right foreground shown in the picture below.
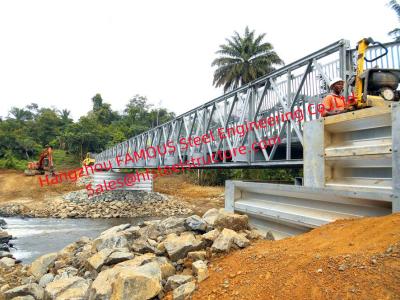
(356, 259)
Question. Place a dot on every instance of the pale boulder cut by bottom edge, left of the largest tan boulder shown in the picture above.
(67, 289)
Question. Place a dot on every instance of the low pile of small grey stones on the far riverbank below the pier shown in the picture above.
(112, 204)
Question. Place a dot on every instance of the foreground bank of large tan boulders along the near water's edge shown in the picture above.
(157, 260)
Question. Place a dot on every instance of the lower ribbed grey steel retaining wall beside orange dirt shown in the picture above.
(290, 210)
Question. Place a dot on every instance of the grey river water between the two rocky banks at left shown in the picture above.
(38, 236)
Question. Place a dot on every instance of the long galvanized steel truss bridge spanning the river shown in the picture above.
(298, 86)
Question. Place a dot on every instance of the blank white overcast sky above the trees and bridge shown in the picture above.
(61, 53)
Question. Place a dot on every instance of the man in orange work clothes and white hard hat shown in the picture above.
(335, 103)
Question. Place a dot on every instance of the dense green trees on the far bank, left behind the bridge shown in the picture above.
(26, 131)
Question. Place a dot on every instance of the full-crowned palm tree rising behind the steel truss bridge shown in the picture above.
(243, 59)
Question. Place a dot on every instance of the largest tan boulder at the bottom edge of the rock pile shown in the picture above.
(140, 283)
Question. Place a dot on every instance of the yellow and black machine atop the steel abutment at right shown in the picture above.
(375, 84)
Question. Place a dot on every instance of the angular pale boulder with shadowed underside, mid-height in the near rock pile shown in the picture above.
(178, 247)
